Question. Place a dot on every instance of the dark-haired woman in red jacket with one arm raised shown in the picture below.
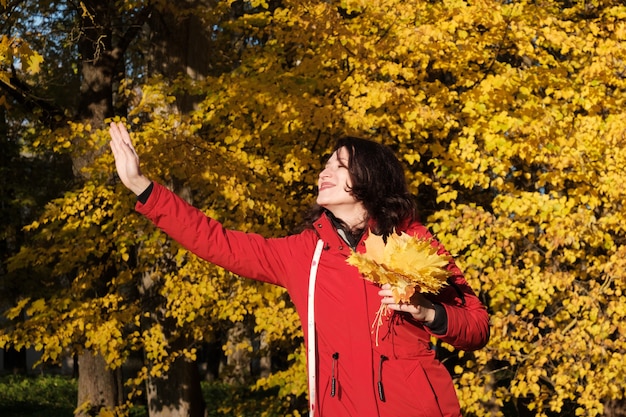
(352, 372)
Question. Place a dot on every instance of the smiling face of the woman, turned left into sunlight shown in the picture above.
(334, 184)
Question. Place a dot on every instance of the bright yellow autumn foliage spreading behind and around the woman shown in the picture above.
(509, 117)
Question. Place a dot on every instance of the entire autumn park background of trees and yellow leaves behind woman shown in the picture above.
(509, 116)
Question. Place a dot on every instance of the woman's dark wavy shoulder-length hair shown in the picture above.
(378, 181)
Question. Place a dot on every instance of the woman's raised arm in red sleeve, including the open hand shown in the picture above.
(247, 254)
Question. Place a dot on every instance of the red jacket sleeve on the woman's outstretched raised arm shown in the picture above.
(246, 254)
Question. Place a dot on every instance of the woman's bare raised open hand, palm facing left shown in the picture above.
(126, 159)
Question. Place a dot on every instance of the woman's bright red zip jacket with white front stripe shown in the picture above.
(415, 383)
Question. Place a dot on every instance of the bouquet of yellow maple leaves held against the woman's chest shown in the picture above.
(407, 263)
